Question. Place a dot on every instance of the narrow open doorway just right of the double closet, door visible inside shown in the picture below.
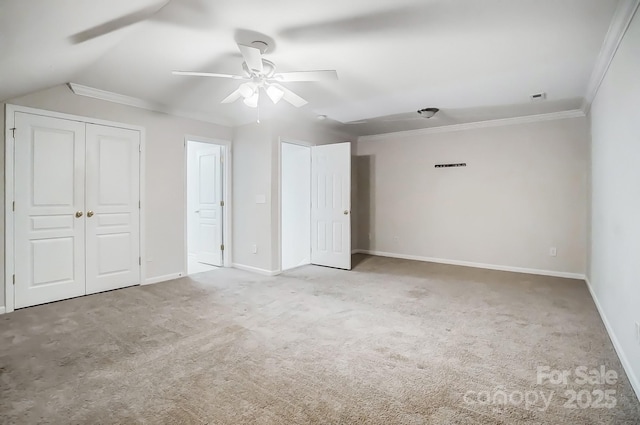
(205, 206)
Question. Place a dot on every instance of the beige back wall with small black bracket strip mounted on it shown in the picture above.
(523, 191)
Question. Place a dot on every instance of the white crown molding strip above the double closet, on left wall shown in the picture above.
(122, 99)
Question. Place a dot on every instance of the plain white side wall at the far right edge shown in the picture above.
(614, 269)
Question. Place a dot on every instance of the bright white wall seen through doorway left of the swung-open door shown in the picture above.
(296, 205)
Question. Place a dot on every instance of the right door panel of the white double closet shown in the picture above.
(112, 208)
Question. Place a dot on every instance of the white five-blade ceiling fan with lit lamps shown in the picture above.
(261, 74)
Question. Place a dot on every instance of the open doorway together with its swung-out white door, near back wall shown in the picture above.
(315, 210)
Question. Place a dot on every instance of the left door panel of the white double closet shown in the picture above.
(49, 209)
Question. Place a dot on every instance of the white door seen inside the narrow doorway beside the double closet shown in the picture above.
(209, 205)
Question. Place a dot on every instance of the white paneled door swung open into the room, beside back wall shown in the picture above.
(331, 205)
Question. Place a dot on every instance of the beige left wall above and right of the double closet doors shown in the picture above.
(165, 173)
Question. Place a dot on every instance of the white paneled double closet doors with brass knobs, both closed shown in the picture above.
(77, 216)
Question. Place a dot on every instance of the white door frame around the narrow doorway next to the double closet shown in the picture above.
(227, 210)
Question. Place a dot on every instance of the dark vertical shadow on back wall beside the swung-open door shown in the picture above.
(366, 201)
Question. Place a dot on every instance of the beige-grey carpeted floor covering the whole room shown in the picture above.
(391, 342)
